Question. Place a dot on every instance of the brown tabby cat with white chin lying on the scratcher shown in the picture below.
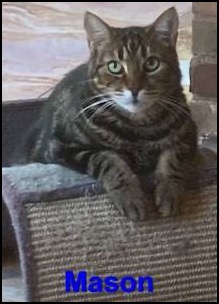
(123, 115)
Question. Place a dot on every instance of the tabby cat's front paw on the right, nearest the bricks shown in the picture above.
(168, 198)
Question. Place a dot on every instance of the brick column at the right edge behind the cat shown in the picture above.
(203, 71)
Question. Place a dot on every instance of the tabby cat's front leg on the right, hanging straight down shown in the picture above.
(169, 183)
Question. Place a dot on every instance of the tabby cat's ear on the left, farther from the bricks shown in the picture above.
(98, 31)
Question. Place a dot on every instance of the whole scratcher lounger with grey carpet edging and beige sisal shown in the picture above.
(71, 228)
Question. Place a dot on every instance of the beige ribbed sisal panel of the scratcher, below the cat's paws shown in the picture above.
(87, 233)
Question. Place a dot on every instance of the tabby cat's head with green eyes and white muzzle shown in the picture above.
(135, 64)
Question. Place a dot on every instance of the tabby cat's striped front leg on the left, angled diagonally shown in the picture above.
(120, 182)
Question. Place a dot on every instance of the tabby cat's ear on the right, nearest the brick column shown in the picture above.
(167, 25)
